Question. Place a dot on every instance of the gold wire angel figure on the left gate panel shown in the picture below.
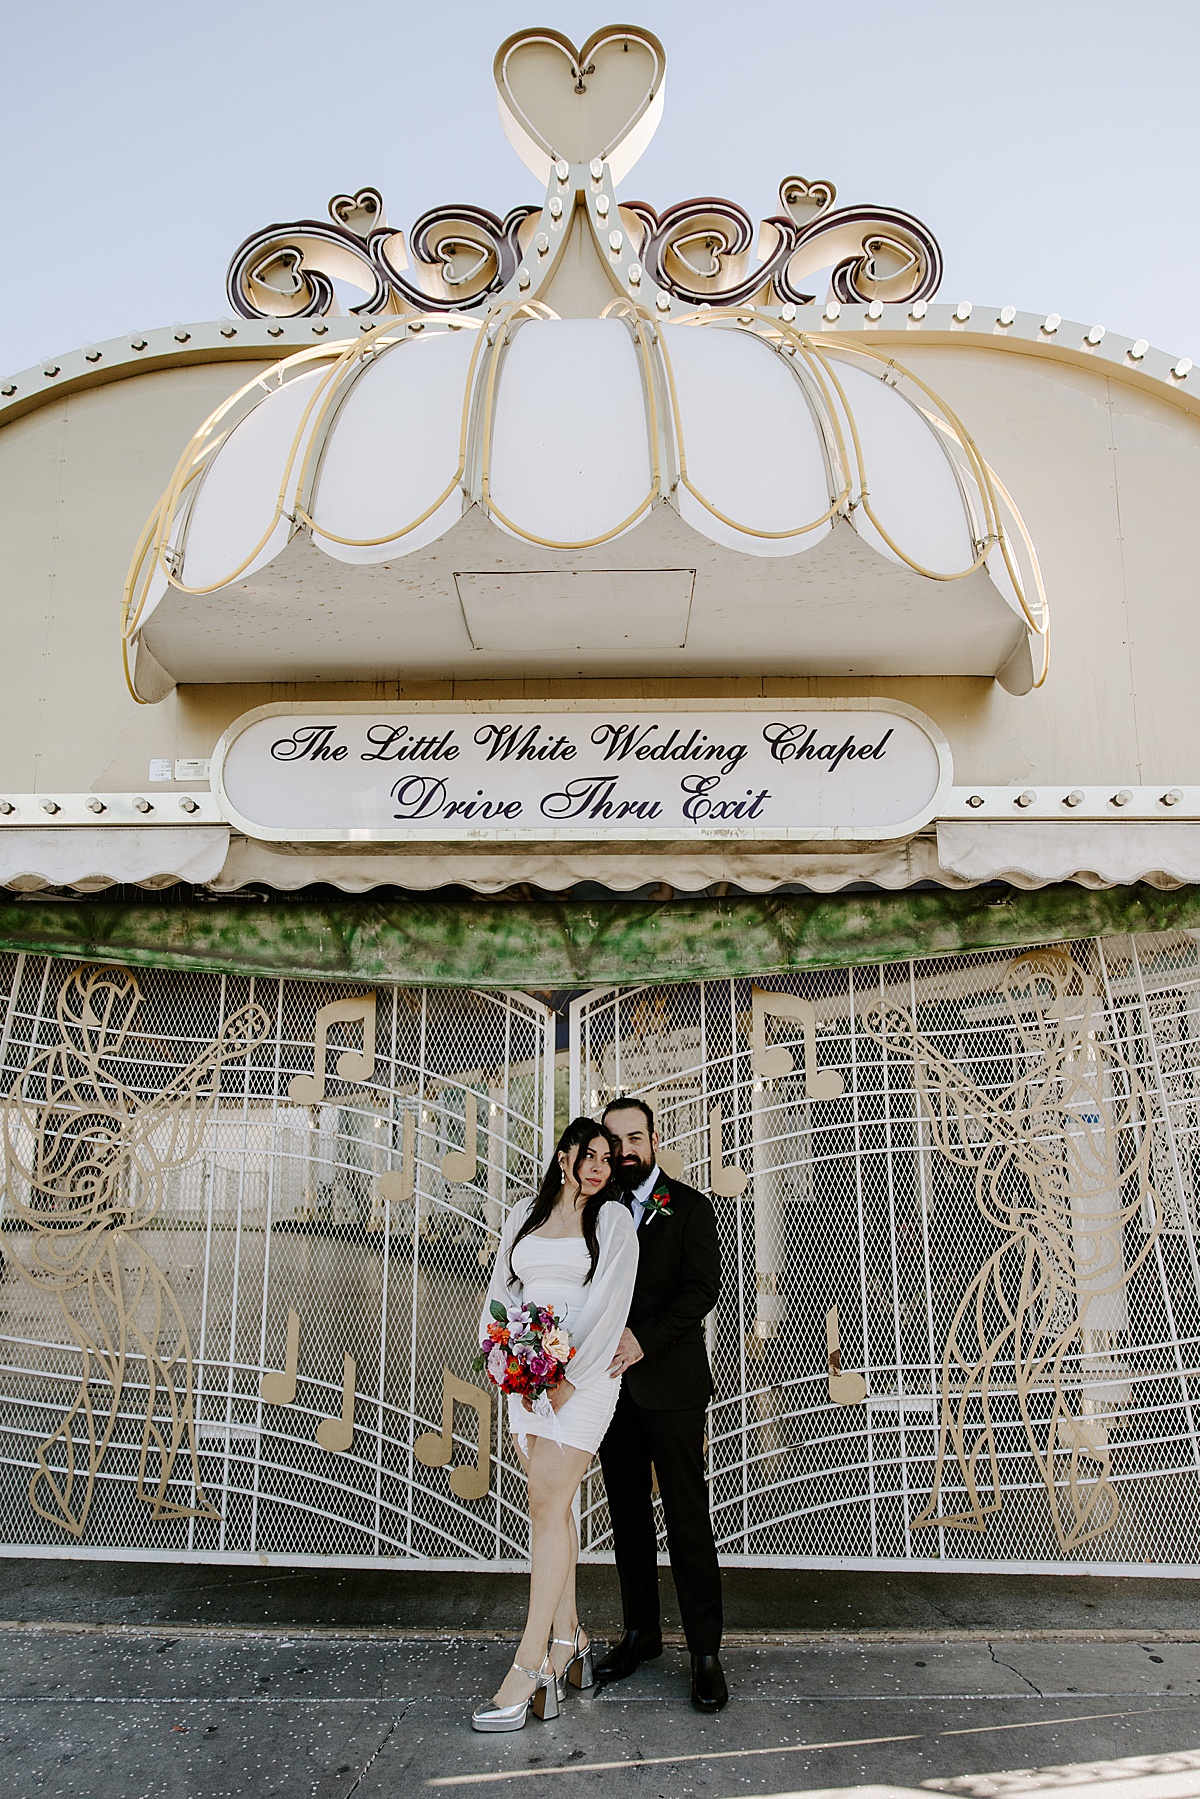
(85, 1161)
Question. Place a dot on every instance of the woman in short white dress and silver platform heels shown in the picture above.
(573, 1248)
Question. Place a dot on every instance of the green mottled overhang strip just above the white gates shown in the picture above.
(458, 942)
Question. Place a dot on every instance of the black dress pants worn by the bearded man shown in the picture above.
(674, 1444)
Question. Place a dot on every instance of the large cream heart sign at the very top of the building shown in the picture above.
(604, 100)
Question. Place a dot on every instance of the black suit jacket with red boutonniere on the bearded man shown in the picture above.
(679, 1280)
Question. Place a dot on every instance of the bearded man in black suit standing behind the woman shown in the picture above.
(661, 1413)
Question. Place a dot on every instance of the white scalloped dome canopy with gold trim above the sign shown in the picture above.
(703, 496)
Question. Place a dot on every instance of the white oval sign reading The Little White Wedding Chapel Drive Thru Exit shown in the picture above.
(526, 773)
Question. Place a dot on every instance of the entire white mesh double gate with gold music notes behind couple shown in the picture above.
(247, 1226)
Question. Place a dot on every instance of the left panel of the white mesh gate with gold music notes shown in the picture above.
(246, 1233)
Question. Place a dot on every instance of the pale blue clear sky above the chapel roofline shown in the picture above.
(1050, 147)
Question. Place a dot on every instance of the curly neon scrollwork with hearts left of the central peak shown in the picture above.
(461, 255)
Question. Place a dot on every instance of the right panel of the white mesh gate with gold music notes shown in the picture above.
(958, 1208)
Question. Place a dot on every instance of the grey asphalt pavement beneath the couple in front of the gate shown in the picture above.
(163, 1683)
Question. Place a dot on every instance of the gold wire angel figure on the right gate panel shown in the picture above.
(1061, 1165)
